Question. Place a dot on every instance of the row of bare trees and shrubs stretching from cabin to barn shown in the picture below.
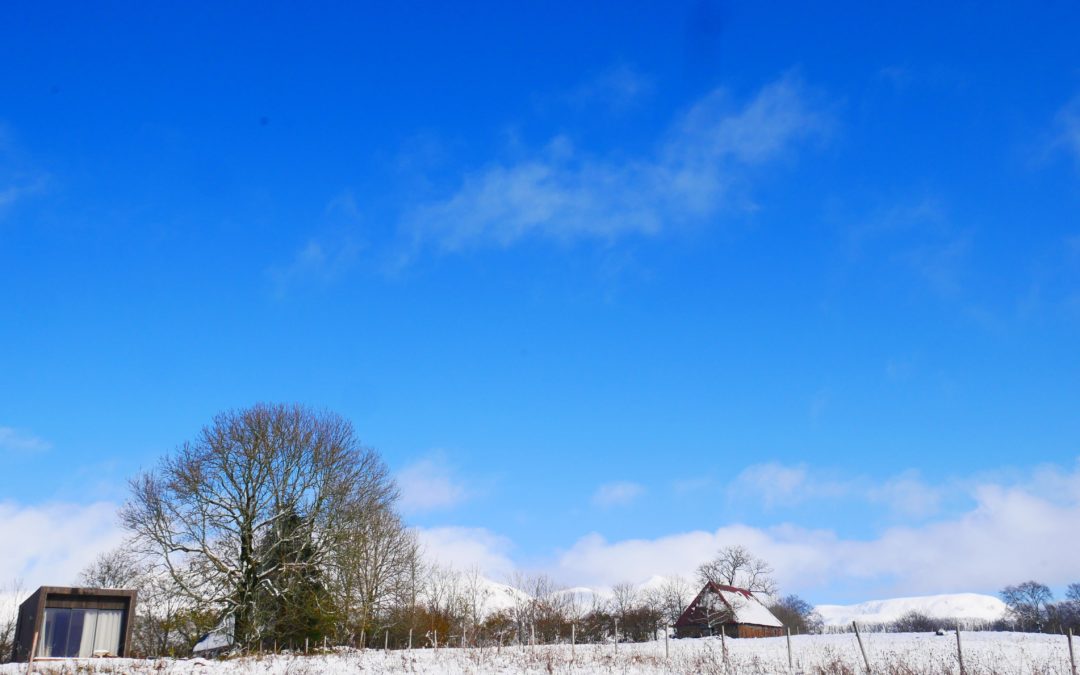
(276, 529)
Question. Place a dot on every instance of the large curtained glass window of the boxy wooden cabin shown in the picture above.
(80, 633)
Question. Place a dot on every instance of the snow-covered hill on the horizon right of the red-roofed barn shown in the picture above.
(951, 606)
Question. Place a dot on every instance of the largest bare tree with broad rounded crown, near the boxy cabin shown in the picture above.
(213, 512)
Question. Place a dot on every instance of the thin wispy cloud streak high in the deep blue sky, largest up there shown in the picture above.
(697, 171)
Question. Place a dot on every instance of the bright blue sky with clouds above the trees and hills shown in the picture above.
(609, 287)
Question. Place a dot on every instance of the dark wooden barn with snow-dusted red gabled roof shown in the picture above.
(735, 612)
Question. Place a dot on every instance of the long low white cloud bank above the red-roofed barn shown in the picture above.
(1014, 532)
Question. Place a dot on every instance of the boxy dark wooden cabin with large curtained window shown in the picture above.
(71, 623)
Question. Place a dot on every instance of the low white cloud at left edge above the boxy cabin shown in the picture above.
(51, 544)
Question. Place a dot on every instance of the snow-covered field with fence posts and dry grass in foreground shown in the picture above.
(897, 654)
